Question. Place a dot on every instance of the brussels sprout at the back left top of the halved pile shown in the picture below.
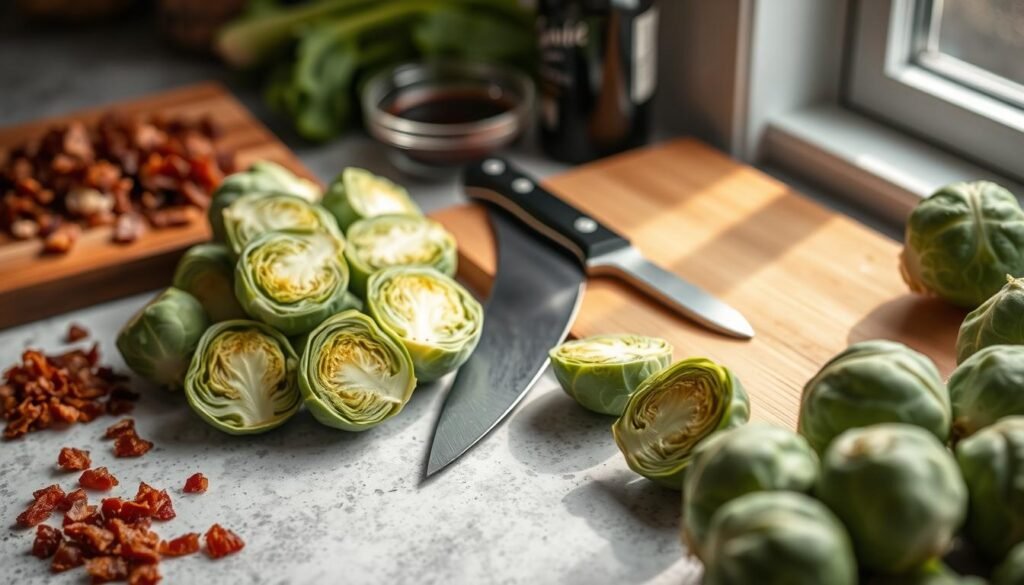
(265, 178)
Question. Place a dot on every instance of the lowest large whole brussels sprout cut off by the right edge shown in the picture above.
(993, 464)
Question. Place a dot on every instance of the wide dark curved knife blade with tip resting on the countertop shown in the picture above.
(534, 301)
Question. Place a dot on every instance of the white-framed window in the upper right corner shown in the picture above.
(949, 71)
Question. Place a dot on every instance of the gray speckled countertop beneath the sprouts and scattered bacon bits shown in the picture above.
(545, 499)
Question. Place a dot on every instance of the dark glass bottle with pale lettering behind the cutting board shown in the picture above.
(599, 75)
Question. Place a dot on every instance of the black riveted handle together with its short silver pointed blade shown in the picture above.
(602, 250)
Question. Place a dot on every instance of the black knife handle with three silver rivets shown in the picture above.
(496, 181)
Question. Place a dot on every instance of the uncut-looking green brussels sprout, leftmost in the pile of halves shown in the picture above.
(158, 343)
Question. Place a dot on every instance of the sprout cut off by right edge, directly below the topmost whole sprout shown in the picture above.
(1000, 321)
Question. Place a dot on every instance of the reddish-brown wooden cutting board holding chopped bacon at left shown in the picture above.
(34, 286)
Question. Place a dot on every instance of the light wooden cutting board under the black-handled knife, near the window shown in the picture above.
(810, 281)
